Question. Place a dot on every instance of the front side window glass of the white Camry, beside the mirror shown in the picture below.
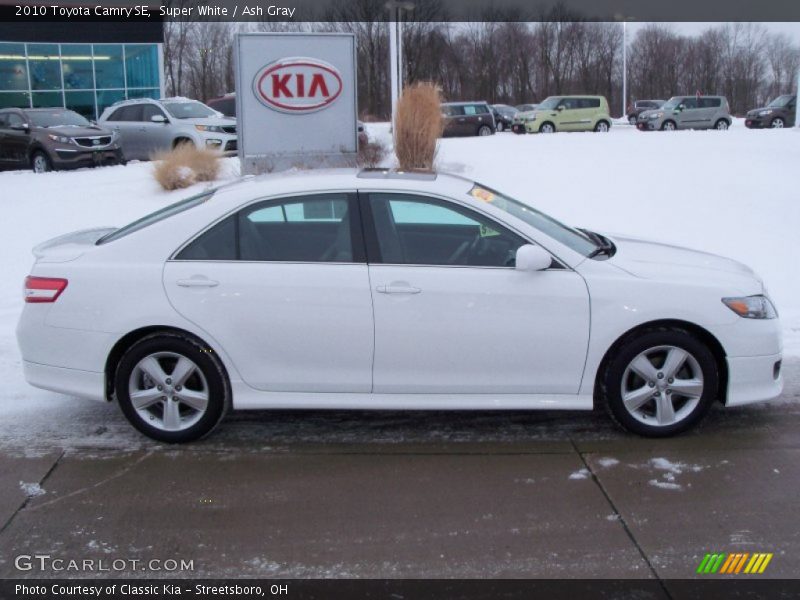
(424, 231)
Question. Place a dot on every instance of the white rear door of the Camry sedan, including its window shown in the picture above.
(283, 287)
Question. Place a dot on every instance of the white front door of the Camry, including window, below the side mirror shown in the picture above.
(453, 315)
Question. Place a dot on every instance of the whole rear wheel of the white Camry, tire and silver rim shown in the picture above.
(171, 388)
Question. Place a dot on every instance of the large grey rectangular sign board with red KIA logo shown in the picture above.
(296, 100)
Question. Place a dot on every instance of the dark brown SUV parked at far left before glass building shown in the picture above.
(53, 138)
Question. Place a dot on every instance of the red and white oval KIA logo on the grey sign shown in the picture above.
(297, 85)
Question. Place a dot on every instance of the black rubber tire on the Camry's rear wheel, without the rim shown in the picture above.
(207, 363)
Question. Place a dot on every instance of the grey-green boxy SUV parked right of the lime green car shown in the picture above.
(687, 112)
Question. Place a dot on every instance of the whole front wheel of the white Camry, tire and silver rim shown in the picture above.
(660, 383)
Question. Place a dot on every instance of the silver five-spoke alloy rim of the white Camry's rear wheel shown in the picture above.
(168, 391)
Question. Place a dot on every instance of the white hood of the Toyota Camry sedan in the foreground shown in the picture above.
(654, 260)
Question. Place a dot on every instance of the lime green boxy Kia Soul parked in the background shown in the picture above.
(569, 113)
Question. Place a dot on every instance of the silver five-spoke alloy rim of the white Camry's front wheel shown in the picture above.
(662, 386)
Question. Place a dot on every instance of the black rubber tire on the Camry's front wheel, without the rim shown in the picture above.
(611, 379)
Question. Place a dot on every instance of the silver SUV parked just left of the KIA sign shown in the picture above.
(146, 126)
